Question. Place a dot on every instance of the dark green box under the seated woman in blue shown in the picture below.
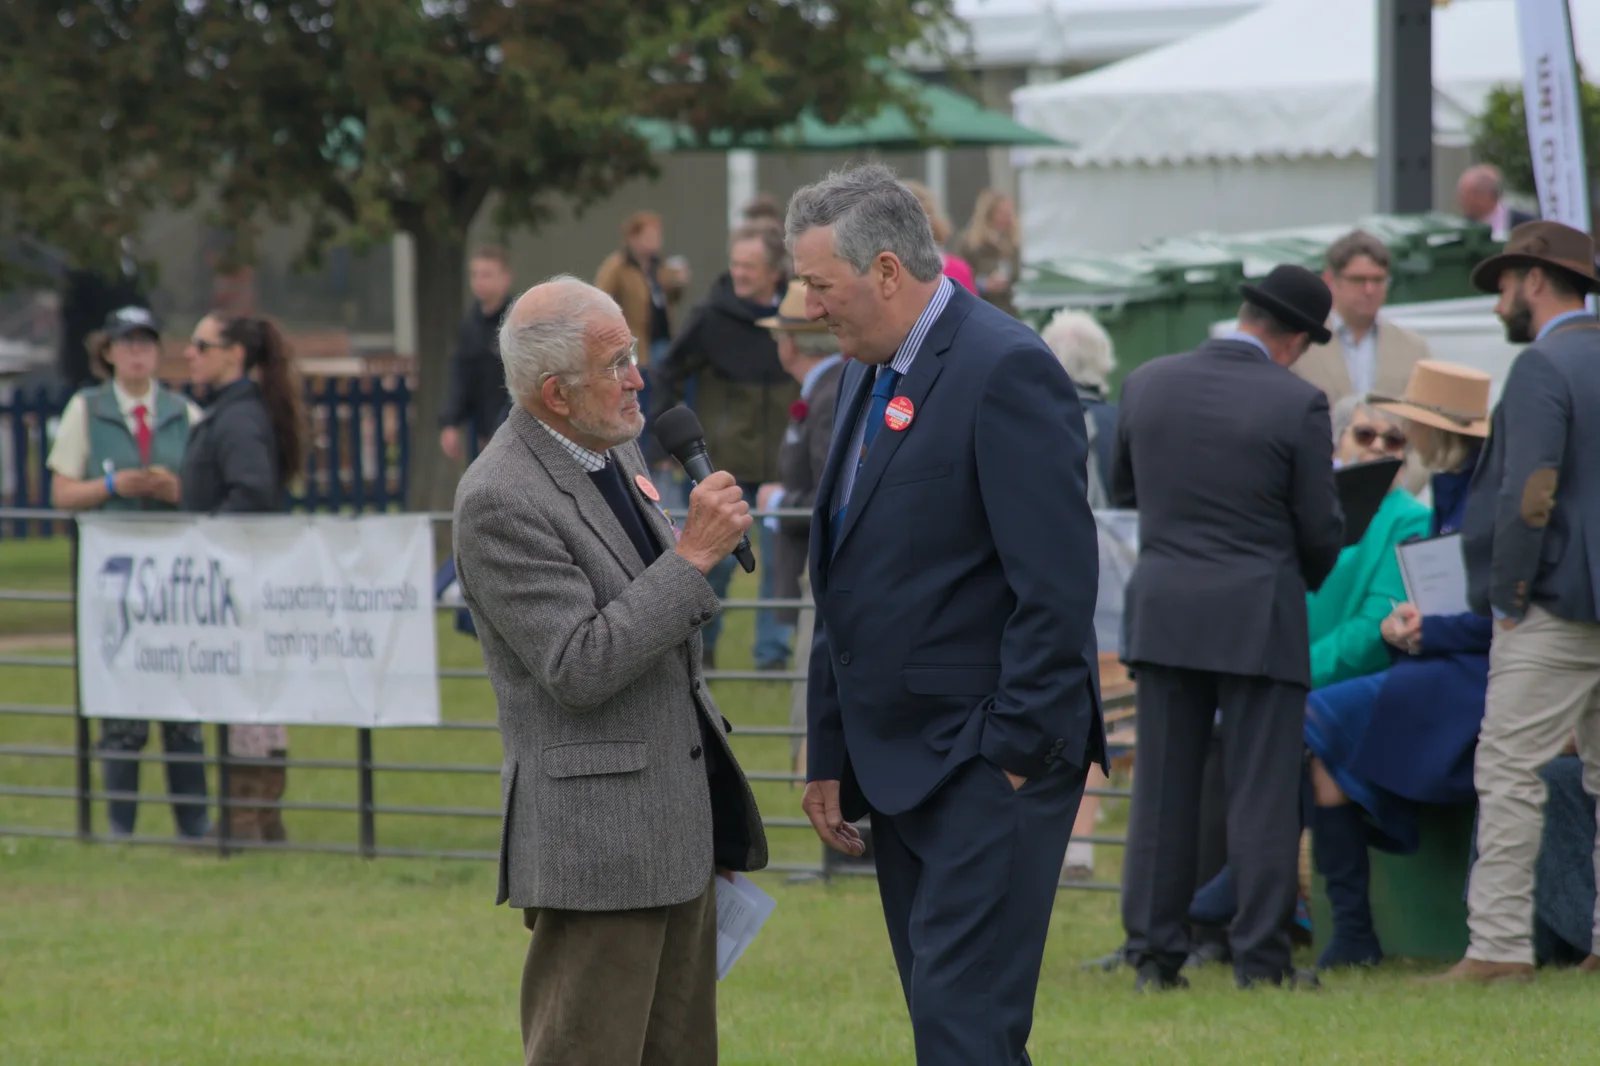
(1418, 900)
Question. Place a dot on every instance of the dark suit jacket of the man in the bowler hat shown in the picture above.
(1228, 459)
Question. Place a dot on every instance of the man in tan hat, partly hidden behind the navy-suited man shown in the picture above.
(809, 355)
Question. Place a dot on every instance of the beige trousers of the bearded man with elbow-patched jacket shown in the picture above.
(1545, 684)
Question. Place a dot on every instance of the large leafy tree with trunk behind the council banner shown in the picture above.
(382, 116)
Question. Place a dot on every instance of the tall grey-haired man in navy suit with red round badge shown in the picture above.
(954, 564)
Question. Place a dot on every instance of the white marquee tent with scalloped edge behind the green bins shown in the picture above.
(1263, 122)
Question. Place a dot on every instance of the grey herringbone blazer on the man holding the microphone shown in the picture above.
(596, 663)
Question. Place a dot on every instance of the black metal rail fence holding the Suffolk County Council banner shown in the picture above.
(367, 769)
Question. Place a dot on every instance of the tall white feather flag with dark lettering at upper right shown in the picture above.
(1550, 92)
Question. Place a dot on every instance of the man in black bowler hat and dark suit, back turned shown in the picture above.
(1239, 518)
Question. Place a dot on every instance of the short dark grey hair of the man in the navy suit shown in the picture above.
(871, 214)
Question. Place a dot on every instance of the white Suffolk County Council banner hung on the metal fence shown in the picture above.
(318, 620)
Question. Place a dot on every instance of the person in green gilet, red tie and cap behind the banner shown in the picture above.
(118, 449)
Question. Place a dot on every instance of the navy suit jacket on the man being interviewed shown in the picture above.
(956, 609)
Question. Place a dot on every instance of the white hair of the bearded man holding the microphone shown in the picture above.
(551, 339)
